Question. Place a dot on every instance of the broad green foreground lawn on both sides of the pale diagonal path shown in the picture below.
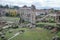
(31, 34)
